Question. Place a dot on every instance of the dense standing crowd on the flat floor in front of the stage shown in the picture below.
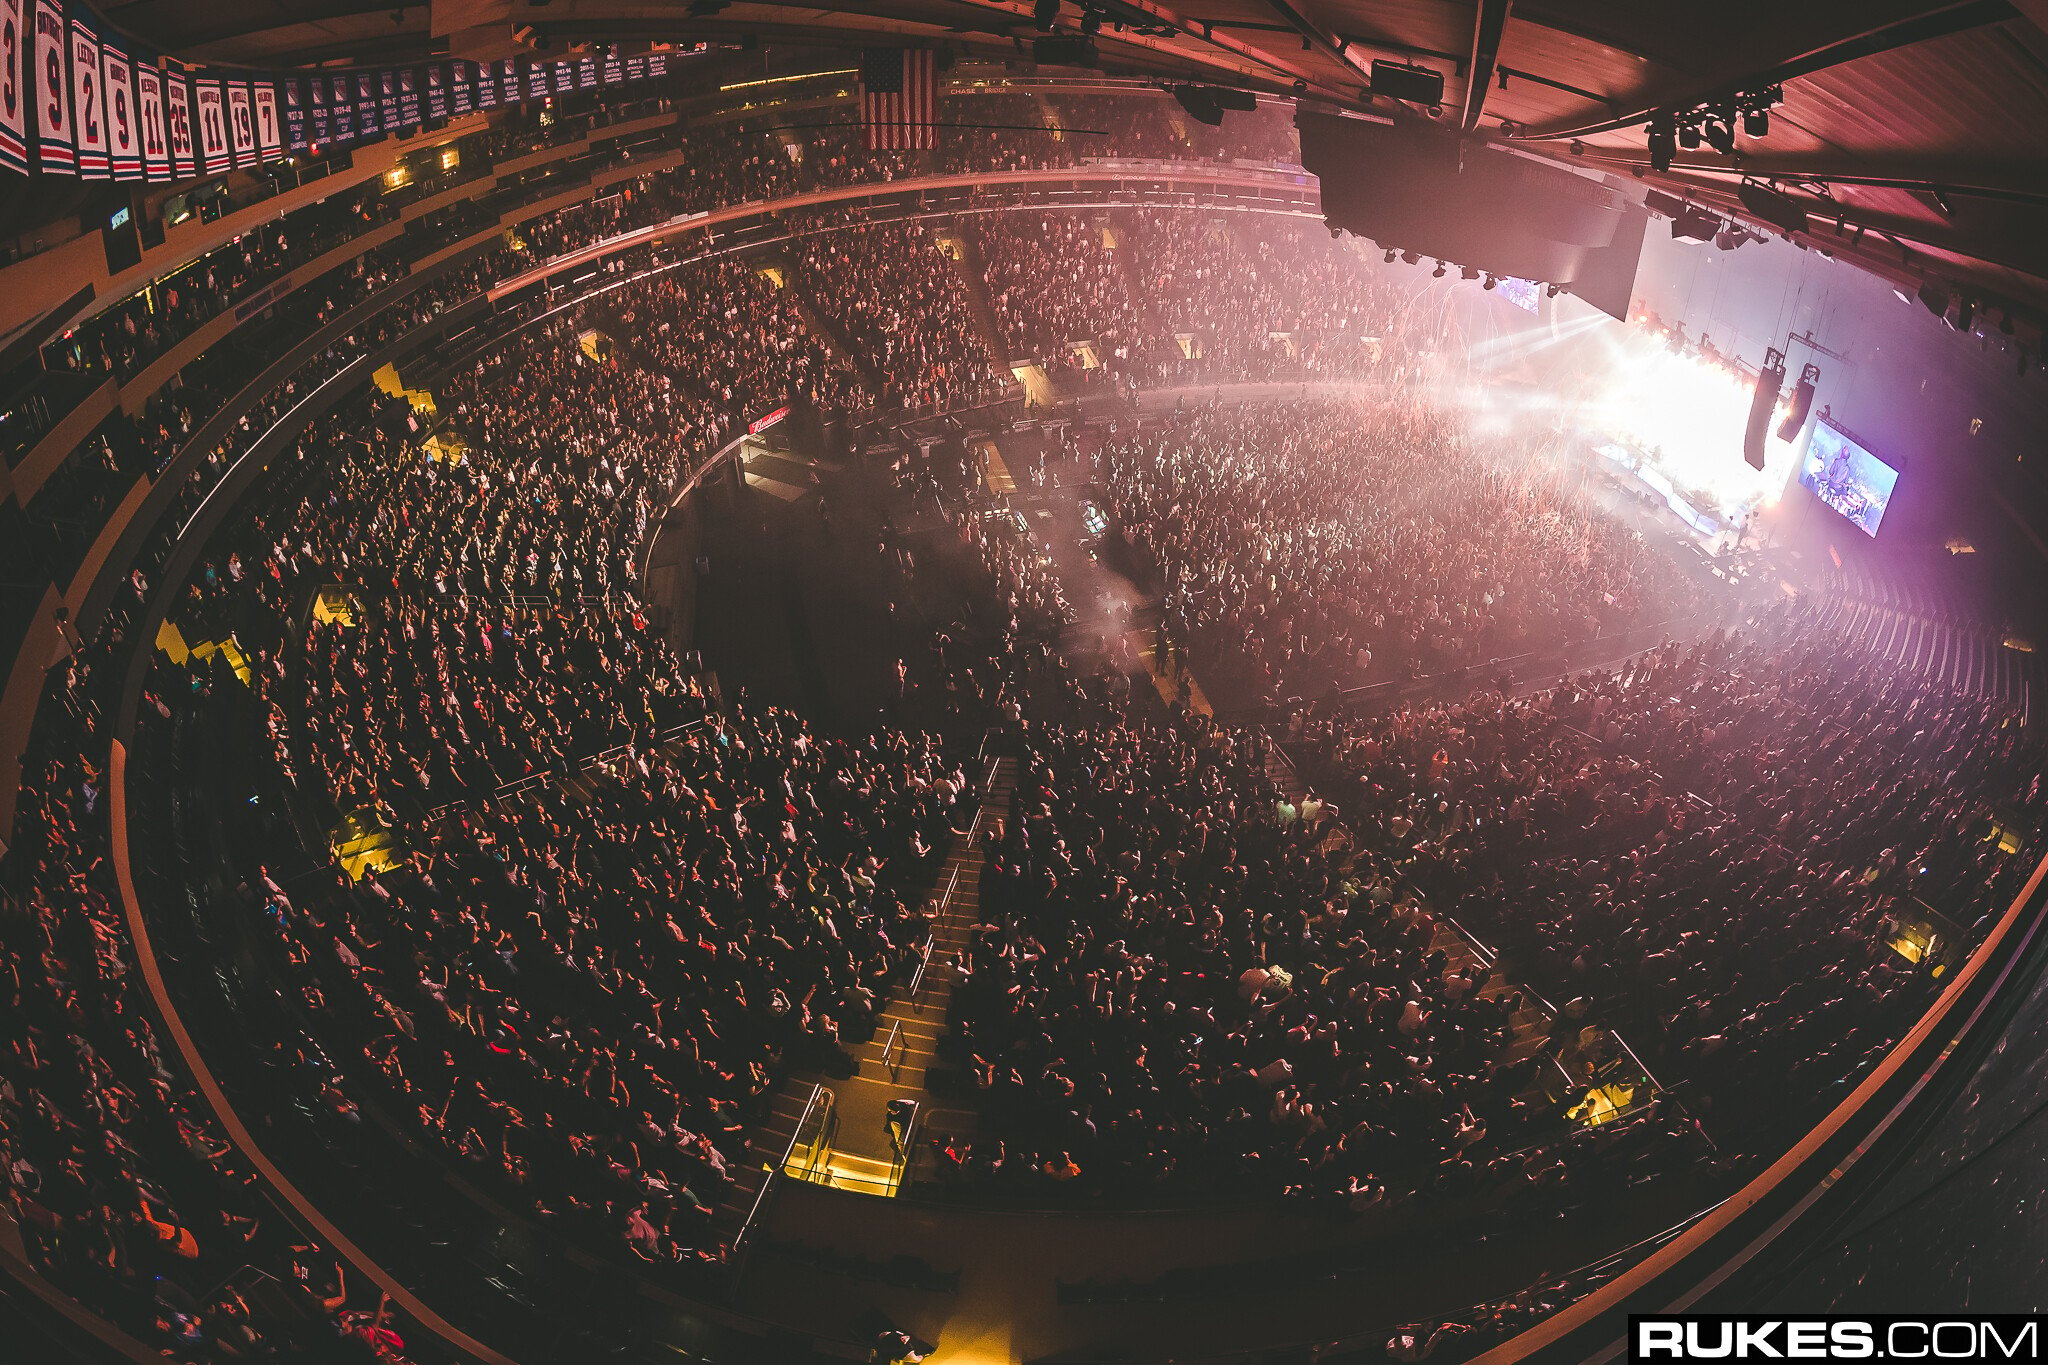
(1334, 541)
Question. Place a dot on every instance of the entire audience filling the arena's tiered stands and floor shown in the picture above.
(632, 906)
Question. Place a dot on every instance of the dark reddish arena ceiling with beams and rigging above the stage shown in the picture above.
(1914, 134)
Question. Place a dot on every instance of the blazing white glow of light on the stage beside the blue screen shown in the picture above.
(1684, 416)
